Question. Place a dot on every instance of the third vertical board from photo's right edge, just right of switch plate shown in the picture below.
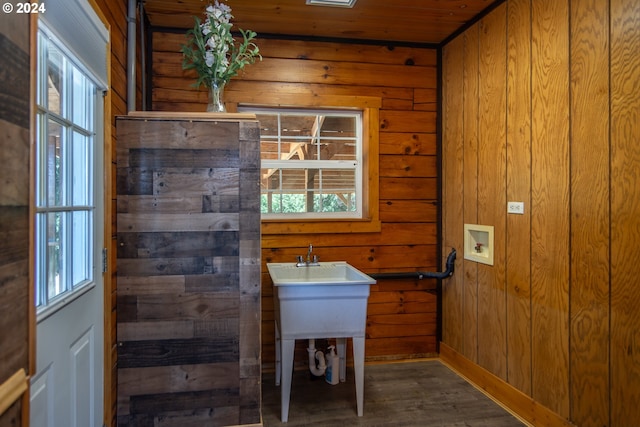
(550, 204)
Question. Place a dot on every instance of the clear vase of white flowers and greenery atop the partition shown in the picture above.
(214, 54)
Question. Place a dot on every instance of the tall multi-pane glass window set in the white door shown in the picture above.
(65, 208)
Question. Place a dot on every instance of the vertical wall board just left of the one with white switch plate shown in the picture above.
(492, 344)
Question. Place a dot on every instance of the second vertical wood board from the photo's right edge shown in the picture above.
(590, 213)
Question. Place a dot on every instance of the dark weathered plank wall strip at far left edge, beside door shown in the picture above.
(16, 309)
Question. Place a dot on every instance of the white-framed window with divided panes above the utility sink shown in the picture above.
(311, 163)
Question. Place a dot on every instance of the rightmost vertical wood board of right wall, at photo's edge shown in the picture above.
(625, 211)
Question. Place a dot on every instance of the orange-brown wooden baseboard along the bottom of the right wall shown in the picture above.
(517, 402)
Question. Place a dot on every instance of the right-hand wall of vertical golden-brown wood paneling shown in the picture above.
(554, 123)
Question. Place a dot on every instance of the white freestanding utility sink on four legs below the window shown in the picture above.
(327, 300)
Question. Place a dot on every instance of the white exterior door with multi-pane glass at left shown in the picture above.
(67, 387)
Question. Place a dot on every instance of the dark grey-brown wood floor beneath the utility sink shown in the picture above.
(425, 393)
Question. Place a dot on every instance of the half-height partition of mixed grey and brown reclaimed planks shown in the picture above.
(188, 269)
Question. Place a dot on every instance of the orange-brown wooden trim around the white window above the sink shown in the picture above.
(368, 109)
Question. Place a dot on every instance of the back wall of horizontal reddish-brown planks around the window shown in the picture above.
(402, 314)
